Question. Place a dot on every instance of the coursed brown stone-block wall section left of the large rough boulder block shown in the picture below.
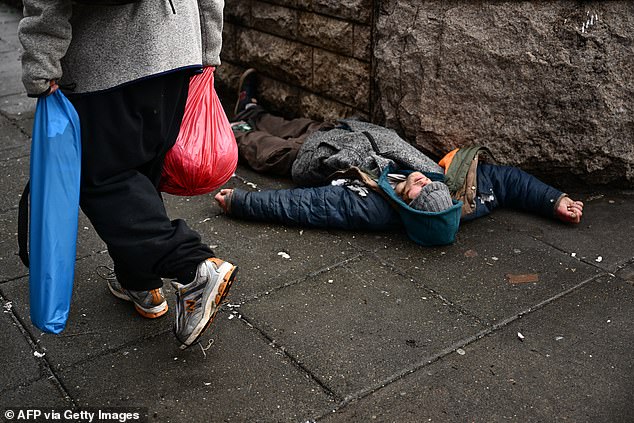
(313, 56)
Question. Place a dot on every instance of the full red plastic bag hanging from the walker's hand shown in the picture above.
(205, 154)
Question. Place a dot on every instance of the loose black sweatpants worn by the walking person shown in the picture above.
(126, 133)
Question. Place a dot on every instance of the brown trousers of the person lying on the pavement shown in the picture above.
(273, 144)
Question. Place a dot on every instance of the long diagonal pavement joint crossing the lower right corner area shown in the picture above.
(362, 393)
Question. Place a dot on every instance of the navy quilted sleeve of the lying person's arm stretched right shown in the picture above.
(514, 188)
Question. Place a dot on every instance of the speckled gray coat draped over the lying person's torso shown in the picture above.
(356, 144)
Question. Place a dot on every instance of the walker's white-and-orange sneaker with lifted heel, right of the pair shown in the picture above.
(198, 302)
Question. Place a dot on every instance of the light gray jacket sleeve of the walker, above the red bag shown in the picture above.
(211, 22)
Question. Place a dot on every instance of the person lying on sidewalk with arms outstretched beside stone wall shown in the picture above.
(356, 175)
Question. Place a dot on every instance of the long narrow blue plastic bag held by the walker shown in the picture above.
(54, 210)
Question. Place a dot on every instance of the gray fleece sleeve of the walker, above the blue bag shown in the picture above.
(45, 34)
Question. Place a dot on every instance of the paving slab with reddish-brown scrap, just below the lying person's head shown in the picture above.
(477, 272)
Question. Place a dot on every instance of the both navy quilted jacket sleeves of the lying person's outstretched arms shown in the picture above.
(341, 208)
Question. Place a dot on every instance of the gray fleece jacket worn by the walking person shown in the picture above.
(95, 48)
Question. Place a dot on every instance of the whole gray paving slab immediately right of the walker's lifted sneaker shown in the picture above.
(357, 325)
